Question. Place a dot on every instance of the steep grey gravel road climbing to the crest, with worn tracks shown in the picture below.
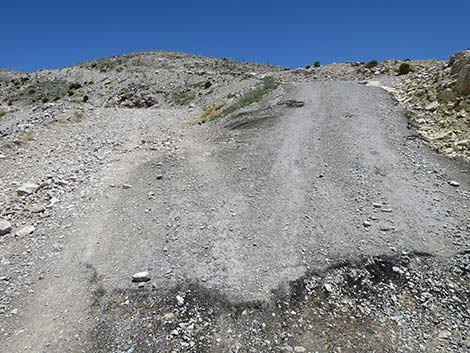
(233, 214)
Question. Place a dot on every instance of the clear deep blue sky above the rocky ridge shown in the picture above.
(51, 34)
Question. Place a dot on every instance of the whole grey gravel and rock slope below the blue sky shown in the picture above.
(307, 216)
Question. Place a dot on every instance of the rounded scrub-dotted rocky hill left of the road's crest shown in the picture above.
(141, 80)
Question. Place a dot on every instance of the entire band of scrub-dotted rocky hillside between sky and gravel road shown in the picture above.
(436, 93)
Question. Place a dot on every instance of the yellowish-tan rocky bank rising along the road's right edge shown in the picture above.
(438, 97)
